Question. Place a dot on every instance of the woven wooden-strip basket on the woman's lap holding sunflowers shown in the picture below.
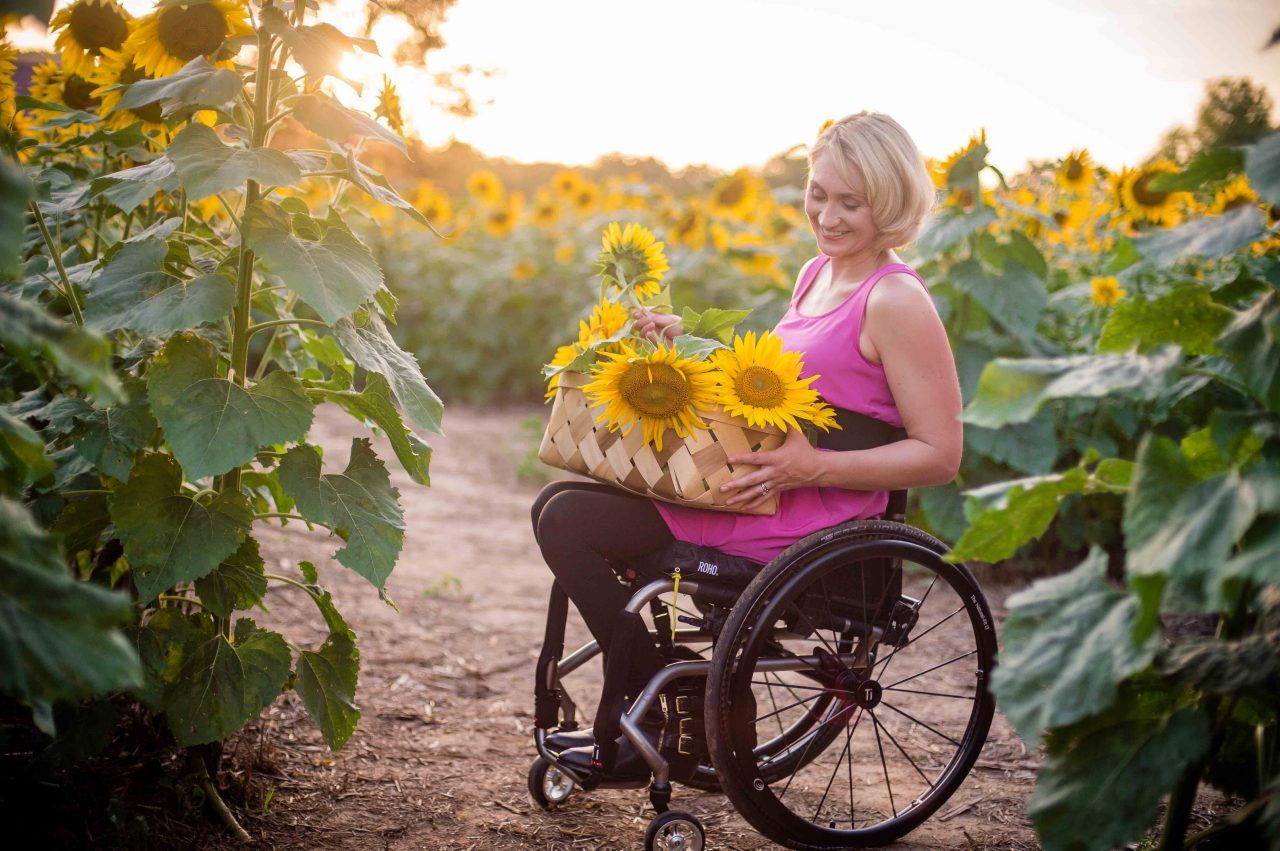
(689, 472)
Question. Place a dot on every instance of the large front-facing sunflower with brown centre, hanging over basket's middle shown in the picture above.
(661, 391)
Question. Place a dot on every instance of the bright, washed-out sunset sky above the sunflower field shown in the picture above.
(733, 83)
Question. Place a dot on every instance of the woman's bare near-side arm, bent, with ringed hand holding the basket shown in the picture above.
(912, 344)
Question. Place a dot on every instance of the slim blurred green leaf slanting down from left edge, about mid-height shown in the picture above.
(38, 341)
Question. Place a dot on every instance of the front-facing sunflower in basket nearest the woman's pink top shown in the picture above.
(762, 383)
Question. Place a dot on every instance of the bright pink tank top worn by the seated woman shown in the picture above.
(848, 381)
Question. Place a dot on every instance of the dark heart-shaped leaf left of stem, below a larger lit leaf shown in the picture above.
(170, 537)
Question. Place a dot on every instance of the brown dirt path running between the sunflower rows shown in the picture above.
(442, 751)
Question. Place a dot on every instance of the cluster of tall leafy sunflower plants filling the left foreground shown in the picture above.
(179, 296)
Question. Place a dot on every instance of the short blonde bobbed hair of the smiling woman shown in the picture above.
(899, 187)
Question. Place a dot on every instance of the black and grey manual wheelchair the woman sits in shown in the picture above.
(836, 696)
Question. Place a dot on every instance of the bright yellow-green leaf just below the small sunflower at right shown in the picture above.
(1188, 317)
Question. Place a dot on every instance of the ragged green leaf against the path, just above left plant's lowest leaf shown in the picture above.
(360, 502)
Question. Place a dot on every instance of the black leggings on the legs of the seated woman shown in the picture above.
(589, 533)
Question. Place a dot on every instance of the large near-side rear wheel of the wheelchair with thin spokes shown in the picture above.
(848, 694)
